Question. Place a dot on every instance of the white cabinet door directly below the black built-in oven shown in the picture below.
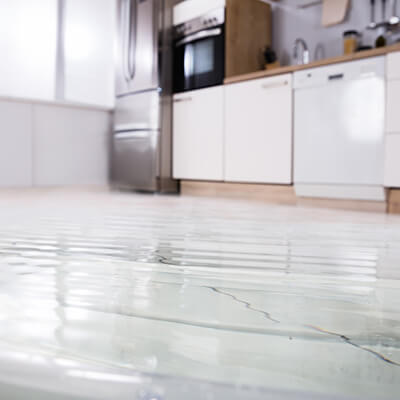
(198, 118)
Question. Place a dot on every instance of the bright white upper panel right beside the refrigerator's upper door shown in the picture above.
(89, 39)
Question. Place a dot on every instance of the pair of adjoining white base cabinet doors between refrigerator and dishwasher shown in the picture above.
(235, 133)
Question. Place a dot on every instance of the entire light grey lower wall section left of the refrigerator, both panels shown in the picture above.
(44, 144)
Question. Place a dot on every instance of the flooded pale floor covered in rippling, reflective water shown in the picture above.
(220, 291)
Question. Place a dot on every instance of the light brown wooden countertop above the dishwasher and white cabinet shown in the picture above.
(327, 61)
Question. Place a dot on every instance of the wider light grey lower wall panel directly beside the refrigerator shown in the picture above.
(70, 146)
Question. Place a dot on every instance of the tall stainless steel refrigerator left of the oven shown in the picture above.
(142, 143)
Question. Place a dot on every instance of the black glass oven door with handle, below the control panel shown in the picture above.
(199, 60)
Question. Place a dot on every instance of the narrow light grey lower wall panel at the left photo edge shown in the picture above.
(15, 144)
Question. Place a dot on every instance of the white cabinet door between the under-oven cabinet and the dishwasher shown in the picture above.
(258, 131)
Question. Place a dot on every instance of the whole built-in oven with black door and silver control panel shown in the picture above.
(199, 52)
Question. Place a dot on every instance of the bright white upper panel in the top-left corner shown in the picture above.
(28, 37)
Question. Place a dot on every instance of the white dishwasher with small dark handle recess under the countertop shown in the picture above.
(339, 130)
